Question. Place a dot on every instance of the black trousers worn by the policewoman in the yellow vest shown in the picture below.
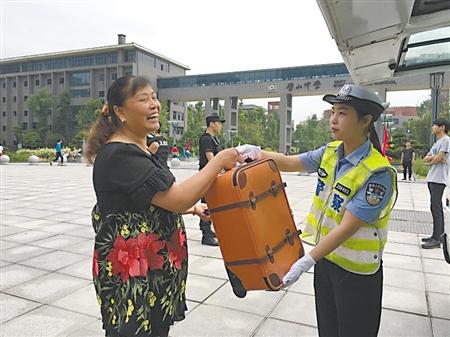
(347, 304)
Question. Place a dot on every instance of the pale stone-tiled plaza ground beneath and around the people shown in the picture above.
(46, 252)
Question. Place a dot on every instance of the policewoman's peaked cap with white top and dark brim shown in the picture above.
(363, 100)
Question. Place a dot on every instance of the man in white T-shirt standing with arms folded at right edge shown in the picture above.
(437, 179)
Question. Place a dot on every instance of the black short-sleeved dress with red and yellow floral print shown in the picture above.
(140, 254)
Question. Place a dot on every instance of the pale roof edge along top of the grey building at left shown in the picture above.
(94, 50)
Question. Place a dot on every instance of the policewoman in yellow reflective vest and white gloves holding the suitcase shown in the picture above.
(348, 221)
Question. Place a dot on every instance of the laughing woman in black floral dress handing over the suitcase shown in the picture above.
(140, 254)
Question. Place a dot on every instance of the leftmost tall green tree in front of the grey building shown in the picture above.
(40, 104)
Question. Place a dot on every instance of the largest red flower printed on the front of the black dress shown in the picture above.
(130, 257)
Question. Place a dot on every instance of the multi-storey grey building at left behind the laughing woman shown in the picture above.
(86, 74)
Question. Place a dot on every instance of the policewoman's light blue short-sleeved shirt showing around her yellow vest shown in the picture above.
(358, 205)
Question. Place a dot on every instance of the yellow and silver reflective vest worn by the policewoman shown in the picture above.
(362, 252)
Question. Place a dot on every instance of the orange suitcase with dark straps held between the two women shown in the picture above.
(253, 222)
